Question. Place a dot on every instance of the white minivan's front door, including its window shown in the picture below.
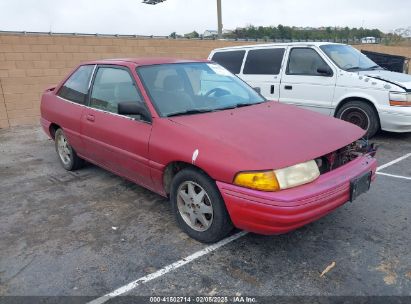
(308, 80)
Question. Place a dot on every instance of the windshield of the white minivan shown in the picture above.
(348, 58)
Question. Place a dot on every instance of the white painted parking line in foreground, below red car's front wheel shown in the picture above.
(128, 287)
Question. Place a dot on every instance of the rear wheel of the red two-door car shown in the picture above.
(67, 156)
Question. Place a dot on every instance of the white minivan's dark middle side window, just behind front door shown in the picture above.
(264, 61)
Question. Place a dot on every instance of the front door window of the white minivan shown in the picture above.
(305, 61)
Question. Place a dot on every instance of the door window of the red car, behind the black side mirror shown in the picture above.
(112, 86)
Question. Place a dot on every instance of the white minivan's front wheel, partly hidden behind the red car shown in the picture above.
(361, 114)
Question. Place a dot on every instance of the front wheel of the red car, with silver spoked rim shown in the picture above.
(199, 207)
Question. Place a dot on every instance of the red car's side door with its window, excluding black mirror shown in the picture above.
(116, 142)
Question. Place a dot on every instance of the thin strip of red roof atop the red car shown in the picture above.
(144, 61)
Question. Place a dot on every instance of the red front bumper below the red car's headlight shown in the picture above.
(286, 210)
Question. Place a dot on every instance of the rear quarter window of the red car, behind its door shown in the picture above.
(76, 87)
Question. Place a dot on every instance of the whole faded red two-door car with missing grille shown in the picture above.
(194, 132)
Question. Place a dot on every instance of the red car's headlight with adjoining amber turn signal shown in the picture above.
(275, 180)
